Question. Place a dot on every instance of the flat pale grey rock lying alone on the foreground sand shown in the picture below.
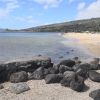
(18, 88)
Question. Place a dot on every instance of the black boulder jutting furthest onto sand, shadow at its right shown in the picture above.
(77, 84)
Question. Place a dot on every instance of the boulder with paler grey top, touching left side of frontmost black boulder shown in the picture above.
(68, 77)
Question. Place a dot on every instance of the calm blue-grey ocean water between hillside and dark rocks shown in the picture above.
(27, 45)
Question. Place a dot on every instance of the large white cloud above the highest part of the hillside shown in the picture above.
(91, 11)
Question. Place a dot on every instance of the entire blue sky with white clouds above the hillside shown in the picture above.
(29, 13)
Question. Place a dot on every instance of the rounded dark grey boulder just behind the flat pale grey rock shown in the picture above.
(19, 77)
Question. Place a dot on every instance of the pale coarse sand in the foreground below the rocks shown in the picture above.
(41, 91)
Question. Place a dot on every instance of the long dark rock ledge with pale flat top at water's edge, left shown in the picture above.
(31, 64)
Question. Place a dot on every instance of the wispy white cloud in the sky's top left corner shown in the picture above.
(9, 6)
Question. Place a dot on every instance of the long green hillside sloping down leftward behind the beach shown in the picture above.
(91, 25)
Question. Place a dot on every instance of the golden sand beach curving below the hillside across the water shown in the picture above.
(88, 40)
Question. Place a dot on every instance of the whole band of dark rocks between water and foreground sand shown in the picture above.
(71, 73)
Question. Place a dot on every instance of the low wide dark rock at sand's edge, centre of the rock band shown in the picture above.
(53, 78)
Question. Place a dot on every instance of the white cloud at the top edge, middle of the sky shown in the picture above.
(49, 3)
